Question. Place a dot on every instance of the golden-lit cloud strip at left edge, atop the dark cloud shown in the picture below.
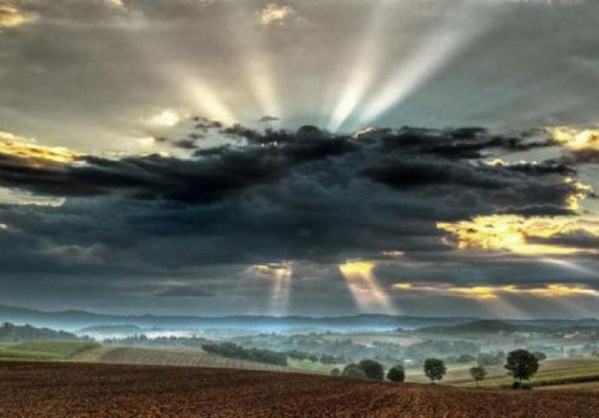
(19, 147)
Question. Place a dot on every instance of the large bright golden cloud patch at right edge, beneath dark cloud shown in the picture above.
(517, 234)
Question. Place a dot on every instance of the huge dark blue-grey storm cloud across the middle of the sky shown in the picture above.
(303, 195)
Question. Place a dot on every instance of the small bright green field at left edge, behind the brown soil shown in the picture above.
(44, 350)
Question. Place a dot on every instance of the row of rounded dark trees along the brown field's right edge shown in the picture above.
(520, 364)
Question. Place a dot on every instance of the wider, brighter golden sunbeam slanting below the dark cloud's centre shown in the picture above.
(365, 288)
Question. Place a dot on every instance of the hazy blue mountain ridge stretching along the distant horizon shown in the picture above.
(76, 319)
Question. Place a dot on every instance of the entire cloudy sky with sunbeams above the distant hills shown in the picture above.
(331, 157)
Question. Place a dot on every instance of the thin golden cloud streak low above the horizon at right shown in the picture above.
(553, 290)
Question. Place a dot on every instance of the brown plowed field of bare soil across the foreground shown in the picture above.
(80, 390)
